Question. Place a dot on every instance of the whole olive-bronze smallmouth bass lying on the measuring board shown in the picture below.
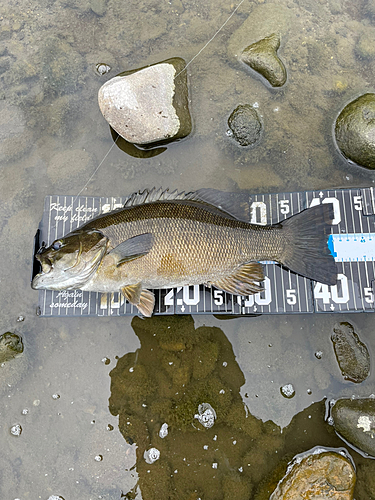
(166, 240)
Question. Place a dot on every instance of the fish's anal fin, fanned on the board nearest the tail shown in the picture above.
(244, 281)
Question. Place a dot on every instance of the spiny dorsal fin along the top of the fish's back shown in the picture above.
(234, 204)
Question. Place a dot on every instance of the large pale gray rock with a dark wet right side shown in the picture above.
(149, 104)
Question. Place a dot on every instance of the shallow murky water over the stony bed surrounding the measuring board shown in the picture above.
(53, 137)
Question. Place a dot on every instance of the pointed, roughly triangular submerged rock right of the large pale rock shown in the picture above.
(262, 57)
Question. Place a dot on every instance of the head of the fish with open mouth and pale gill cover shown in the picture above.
(69, 262)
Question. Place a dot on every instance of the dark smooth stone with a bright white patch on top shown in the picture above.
(354, 420)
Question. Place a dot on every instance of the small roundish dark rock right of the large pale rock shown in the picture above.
(245, 125)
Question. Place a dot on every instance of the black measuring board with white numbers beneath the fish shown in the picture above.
(352, 243)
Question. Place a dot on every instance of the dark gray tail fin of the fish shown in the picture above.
(306, 244)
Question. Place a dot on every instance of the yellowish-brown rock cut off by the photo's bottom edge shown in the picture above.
(317, 474)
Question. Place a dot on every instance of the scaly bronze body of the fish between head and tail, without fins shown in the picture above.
(199, 255)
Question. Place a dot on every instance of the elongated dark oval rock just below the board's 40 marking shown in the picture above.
(352, 355)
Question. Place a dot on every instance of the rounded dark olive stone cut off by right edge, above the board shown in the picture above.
(355, 131)
